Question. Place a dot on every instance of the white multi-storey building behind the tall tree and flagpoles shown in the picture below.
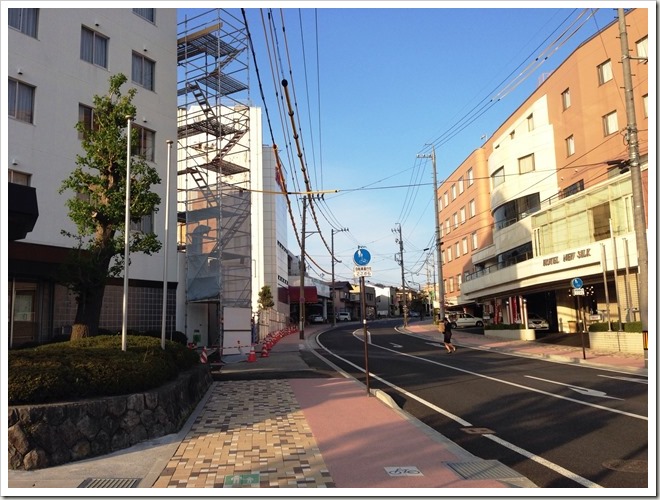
(57, 60)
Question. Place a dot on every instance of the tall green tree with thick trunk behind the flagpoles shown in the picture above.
(98, 205)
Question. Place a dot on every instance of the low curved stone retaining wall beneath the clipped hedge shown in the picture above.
(53, 434)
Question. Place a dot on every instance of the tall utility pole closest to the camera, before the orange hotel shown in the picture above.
(636, 180)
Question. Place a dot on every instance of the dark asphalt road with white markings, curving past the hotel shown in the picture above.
(560, 425)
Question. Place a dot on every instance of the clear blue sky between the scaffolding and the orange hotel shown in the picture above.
(375, 86)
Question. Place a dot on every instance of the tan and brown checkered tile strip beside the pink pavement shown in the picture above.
(249, 435)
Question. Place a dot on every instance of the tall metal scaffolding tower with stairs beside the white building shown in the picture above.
(213, 162)
